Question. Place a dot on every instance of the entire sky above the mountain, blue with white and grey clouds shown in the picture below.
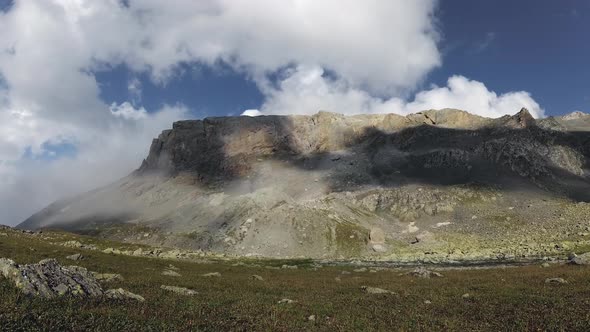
(86, 84)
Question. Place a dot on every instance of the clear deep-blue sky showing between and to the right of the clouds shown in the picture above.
(540, 46)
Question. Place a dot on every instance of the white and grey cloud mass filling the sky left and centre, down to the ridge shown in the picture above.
(304, 55)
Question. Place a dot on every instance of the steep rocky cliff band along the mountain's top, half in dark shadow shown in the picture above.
(221, 149)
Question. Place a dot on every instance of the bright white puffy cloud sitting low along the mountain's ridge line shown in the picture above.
(305, 90)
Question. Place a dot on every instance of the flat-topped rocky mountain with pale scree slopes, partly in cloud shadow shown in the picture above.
(439, 184)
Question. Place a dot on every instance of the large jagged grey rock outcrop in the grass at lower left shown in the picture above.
(49, 279)
